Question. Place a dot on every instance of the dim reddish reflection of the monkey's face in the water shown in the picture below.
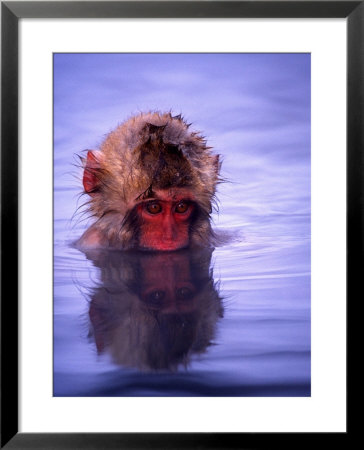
(168, 289)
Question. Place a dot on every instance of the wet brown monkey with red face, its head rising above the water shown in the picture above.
(151, 186)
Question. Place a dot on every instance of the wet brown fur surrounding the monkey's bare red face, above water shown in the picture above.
(148, 153)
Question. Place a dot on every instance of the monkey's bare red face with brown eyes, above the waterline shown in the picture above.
(165, 221)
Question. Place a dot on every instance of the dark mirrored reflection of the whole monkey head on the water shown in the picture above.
(153, 310)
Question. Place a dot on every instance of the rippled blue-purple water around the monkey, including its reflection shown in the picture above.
(242, 327)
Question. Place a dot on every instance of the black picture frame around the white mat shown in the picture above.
(11, 12)
